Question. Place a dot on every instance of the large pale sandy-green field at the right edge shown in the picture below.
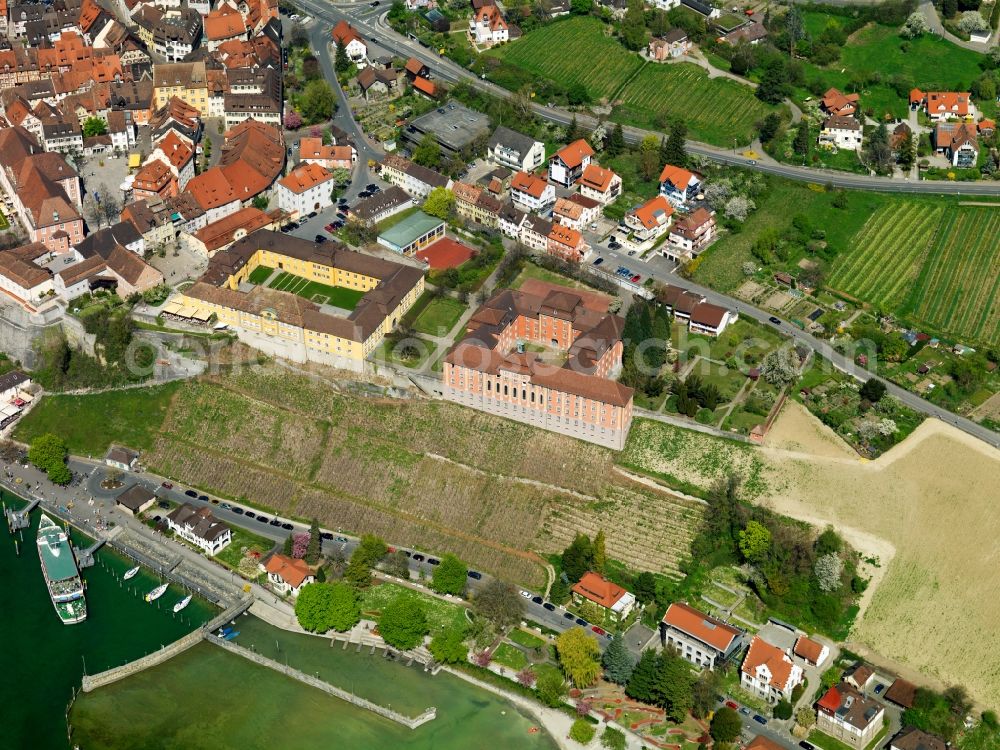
(929, 510)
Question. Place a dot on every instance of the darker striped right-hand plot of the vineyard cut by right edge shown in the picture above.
(958, 290)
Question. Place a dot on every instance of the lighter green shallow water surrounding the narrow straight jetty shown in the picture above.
(209, 698)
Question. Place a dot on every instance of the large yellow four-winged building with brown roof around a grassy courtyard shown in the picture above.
(287, 325)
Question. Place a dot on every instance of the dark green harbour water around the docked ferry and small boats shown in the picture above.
(43, 659)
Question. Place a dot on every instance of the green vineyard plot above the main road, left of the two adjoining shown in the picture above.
(574, 51)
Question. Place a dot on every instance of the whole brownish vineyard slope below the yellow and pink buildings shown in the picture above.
(421, 473)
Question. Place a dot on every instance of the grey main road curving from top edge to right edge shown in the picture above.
(361, 16)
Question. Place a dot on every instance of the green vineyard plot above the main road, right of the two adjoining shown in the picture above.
(716, 110)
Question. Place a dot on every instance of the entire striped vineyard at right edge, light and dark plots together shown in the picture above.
(937, 264)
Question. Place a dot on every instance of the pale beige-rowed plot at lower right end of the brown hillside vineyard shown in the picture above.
(645, 530)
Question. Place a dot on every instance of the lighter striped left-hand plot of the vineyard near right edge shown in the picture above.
(886, 255)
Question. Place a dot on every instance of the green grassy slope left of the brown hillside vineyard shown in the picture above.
(89, 424)
